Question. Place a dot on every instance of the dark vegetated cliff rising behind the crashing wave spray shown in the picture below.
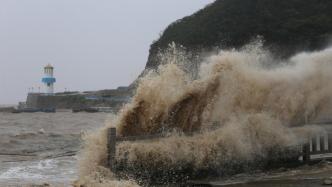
(287, 27)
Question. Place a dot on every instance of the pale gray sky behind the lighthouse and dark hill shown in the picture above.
(93, 44)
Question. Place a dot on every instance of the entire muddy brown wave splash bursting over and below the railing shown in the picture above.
(255, 104)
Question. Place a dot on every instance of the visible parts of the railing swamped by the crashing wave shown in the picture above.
(316, 147)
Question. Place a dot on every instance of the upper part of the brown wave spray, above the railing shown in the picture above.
(233, 83)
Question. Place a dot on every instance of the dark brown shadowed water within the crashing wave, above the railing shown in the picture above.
(184, 115)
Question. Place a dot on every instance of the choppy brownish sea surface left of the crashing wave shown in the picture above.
(37, 148)
